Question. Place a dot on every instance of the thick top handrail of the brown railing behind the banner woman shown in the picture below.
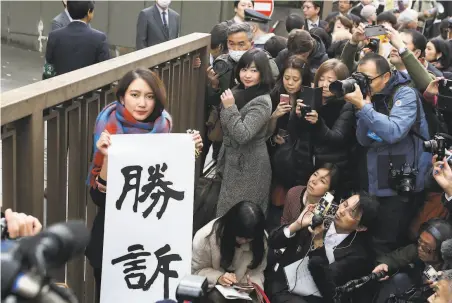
(21, 102)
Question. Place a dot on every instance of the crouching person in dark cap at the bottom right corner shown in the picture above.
(415, 264)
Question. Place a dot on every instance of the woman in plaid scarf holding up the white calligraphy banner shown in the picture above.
(139, 109)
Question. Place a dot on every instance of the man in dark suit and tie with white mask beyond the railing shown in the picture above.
(157, 24)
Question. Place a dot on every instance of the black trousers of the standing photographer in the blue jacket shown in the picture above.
(391, 227)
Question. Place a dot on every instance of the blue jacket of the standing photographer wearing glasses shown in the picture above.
(393, 129)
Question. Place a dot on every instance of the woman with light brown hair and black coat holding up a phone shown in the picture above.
(327, 134)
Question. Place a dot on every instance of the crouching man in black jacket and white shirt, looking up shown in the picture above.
(315, 261)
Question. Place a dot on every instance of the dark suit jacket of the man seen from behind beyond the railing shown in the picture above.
(76, 46)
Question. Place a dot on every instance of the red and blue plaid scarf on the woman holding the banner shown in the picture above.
(117, 120)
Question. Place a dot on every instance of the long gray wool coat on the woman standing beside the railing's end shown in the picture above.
(243, 160)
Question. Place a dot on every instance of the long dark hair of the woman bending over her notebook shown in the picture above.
(244, 220)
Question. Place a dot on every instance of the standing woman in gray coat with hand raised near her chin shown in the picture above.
(244, 161)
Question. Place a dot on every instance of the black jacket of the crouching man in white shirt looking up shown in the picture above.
(350, 253)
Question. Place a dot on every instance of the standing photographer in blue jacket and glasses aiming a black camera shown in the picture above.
(388, 112)
